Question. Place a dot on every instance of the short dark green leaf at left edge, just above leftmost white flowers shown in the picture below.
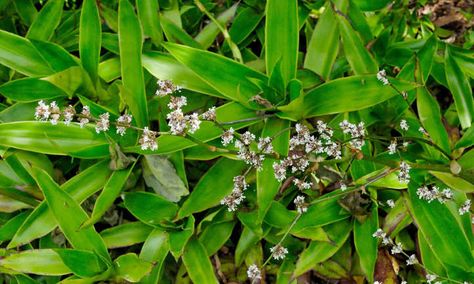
(30, 89)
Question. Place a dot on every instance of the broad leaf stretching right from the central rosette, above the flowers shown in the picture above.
(342, 95)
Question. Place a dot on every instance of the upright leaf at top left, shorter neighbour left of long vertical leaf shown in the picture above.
(90, 37)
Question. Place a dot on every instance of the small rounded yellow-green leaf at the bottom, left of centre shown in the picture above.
(130, 268)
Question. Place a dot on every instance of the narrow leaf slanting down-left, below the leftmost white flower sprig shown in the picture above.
(111, 191)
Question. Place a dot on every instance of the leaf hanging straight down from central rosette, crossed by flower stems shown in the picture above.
(267, 184)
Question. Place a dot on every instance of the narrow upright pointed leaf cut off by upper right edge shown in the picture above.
(460, 89)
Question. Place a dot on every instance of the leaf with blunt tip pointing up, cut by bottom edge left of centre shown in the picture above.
(197, 263)
